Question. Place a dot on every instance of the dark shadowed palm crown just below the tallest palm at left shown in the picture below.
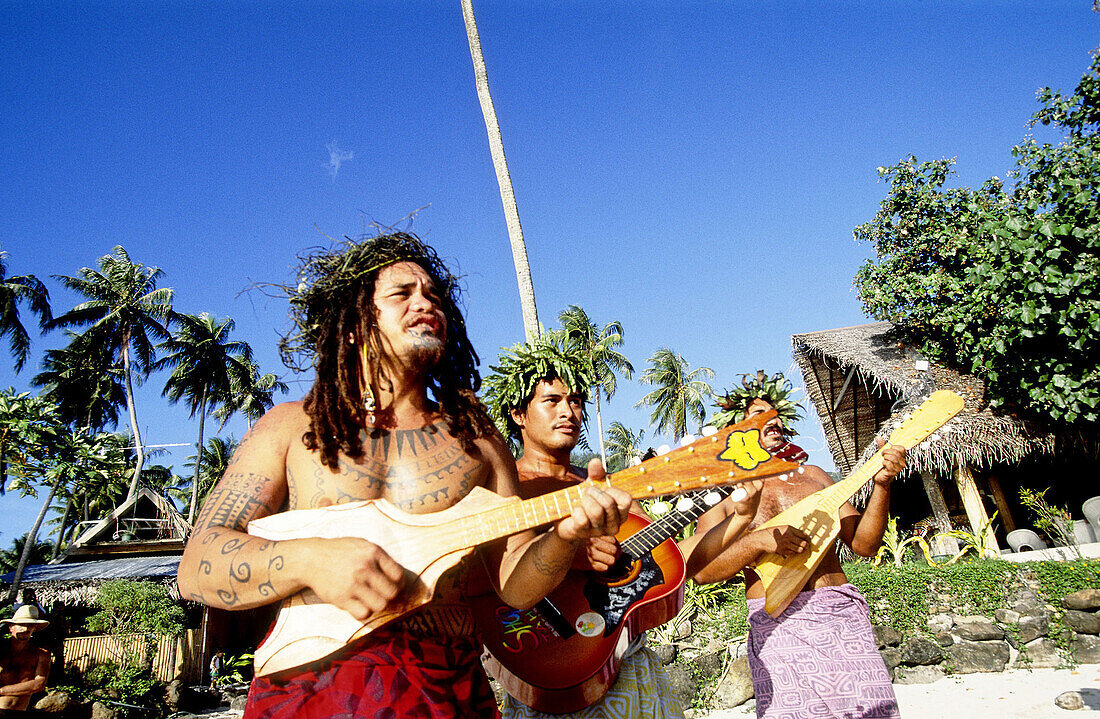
(85, 383)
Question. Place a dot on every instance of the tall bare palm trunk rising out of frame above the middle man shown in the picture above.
(503, 179)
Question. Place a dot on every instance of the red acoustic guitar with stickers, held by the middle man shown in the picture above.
(565, 654)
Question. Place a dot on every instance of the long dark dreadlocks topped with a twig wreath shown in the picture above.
(334, 301)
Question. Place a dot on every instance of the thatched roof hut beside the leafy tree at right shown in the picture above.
(865, 380)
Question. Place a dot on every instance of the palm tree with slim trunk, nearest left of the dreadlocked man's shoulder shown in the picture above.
(201, 353)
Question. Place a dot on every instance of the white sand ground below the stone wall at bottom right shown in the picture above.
(1019, 694)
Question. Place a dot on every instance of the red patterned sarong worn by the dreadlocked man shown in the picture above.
(392, 676)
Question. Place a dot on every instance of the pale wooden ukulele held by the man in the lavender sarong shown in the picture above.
(819, 514)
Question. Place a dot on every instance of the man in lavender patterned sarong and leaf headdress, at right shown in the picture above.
(819, 658)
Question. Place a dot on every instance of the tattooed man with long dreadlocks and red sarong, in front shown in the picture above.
(380, 319)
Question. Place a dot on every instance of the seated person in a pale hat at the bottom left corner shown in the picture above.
(24, 668)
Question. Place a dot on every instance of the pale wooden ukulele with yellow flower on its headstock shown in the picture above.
(427, 546)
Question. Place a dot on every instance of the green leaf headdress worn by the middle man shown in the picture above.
(520, 370)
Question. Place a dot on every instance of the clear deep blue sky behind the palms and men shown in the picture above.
(694, 171)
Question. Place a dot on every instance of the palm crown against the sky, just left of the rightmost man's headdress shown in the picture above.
(681, 392)
